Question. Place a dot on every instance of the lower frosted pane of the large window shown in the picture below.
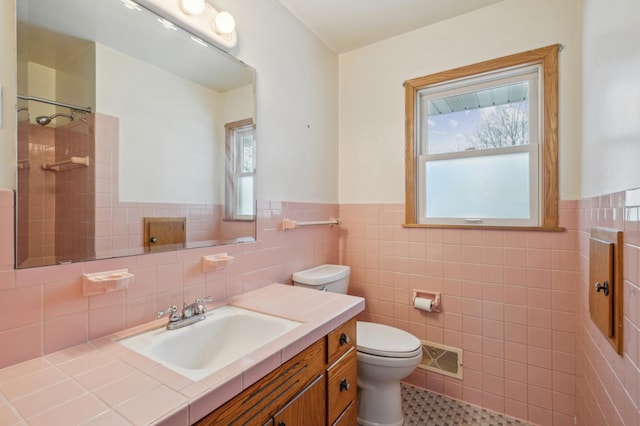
(487, 187)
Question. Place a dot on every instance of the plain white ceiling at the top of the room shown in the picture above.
(346, 25)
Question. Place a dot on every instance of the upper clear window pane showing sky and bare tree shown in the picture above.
(481, 119)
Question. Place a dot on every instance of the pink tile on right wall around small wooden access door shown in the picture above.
(607, 384)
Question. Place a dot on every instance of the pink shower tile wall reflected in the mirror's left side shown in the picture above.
(54, 204)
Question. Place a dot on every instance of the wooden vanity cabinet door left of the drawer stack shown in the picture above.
(307, 409)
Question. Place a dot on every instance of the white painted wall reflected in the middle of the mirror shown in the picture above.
(167, 153)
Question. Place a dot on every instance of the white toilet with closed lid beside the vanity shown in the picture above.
(385, 354)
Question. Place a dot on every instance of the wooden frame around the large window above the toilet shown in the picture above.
(547, 59)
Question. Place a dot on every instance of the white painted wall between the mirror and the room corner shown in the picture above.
(297, 92)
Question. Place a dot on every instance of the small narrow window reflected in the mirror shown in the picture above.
(241, 170)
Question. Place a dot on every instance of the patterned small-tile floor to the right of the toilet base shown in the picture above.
(425, 408)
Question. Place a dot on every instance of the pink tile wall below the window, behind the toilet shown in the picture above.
(509, 301)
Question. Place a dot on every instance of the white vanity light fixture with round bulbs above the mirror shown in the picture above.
(198, 17)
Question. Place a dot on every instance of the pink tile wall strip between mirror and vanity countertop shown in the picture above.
(43, 309)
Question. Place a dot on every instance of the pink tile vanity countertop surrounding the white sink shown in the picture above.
(104, 383)
